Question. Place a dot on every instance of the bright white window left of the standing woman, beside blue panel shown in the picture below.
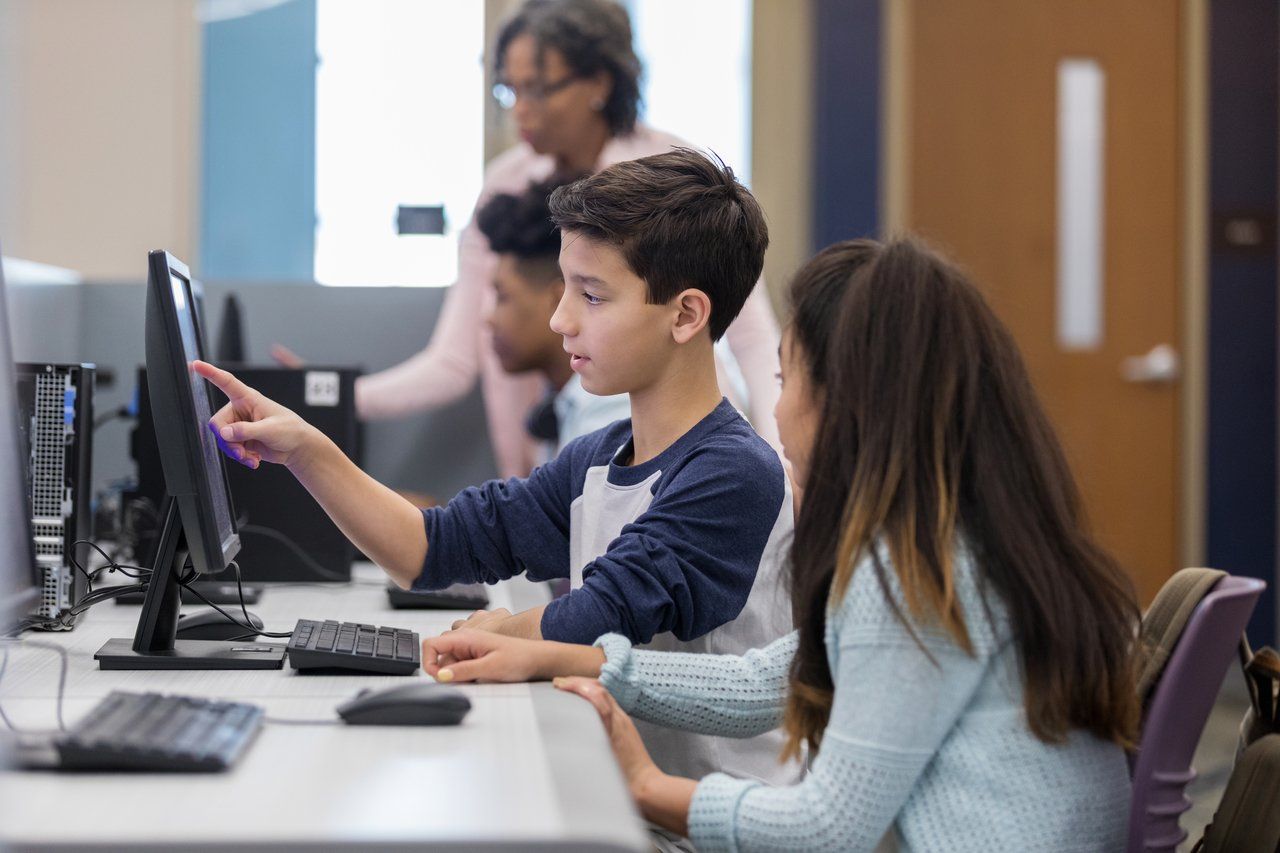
(400, 98)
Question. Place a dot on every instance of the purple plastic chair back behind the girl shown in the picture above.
(1178, 711)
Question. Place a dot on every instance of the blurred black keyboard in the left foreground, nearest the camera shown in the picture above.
(159, 733)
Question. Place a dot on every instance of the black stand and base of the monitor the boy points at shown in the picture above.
(154, 646)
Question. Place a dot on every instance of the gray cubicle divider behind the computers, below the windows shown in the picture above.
(436, 453)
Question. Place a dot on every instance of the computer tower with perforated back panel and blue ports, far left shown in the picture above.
(56, 407)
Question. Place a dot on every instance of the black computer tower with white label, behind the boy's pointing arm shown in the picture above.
(272, 508)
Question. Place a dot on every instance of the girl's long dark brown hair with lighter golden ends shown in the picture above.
(930, 431)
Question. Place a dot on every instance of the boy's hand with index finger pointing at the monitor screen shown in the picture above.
(252, 428)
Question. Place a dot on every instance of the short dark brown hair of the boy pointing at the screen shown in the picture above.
(680, 221)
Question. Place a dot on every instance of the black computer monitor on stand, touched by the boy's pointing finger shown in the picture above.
(198, 527)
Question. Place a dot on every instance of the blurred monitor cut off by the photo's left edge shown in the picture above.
(20, 576)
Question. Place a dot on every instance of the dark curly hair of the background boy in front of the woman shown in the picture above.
(522, 226)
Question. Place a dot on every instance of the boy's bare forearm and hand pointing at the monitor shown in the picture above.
(253, 430)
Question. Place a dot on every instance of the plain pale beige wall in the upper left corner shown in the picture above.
(99, 133)
